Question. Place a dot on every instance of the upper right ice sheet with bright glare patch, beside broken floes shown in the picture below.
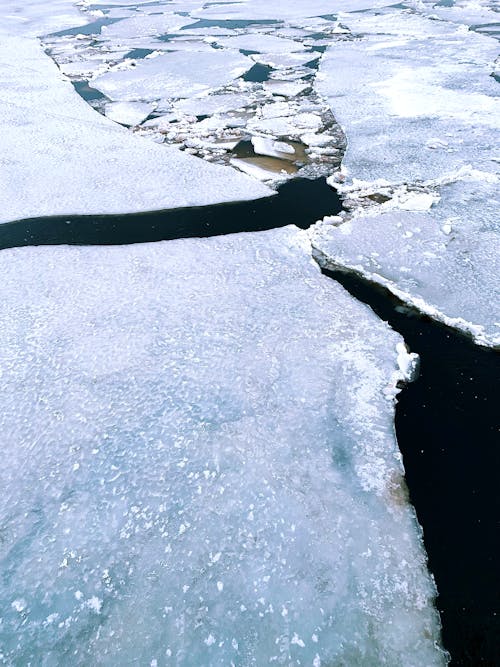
(414, 97)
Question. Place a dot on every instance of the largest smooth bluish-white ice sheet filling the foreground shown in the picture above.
(199, 464)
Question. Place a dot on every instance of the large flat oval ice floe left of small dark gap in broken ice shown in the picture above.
(175, 75)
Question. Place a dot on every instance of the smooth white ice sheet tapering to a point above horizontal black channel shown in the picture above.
(59, 157)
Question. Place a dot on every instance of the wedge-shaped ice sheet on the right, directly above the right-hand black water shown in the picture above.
(443, 258)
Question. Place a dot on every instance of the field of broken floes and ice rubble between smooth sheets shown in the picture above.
(176, 75)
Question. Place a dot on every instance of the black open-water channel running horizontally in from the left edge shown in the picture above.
(300, 202)
